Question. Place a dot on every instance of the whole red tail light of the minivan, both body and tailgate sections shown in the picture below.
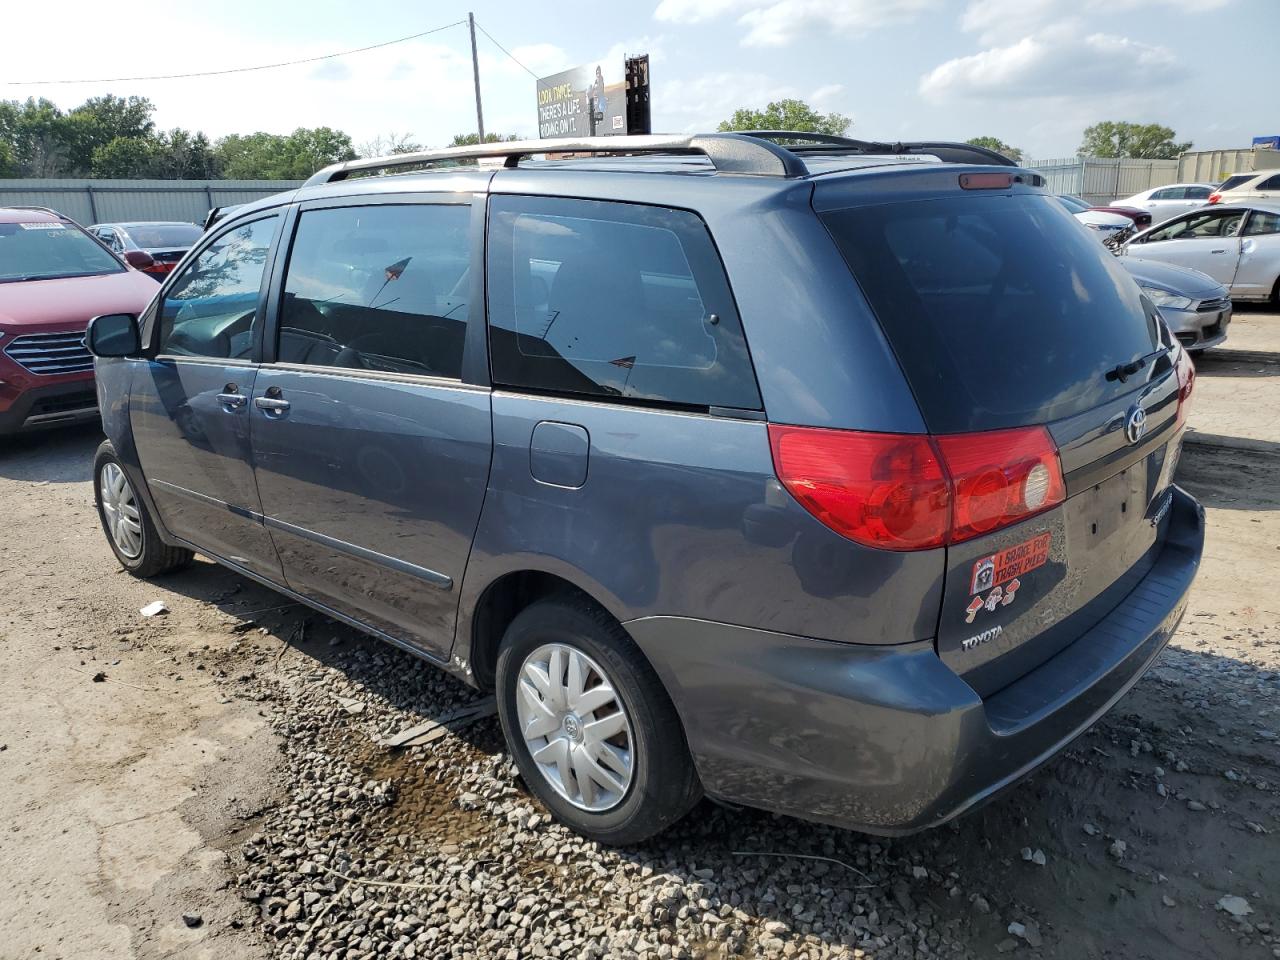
(912, 492)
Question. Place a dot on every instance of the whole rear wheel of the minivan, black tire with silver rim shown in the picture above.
(592, 729)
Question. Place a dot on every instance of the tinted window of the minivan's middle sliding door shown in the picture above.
(380, 287)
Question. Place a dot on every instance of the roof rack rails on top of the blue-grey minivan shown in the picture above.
(755, 153)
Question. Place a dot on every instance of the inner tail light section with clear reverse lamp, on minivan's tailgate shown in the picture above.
(999, 478)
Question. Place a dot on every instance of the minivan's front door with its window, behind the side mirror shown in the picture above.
(190, 405)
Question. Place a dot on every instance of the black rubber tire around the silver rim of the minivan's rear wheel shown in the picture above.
(664, 783)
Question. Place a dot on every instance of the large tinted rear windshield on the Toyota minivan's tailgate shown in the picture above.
(1002, 309)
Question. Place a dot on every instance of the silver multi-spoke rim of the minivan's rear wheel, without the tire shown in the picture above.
(575, 726)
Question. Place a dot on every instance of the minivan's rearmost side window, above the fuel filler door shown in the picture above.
(614, 300)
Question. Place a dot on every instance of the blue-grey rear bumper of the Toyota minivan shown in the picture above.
(889, 740)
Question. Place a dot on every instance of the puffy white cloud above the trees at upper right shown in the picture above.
(1055, 63)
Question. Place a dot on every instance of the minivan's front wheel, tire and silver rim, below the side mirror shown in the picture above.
(126, 522)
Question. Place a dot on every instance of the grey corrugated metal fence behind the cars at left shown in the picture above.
(115, 202)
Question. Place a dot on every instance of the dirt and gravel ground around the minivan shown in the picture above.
(167, 784)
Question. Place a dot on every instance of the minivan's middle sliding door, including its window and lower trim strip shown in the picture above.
(372, 454)
